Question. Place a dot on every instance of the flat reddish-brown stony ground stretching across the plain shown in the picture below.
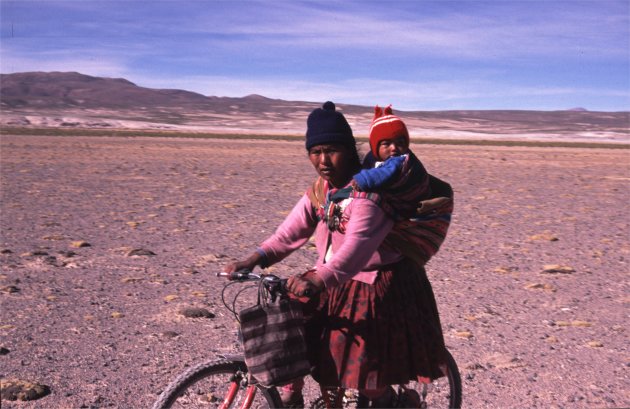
(105, 240)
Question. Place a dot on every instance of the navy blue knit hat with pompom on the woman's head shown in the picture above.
(325, 125)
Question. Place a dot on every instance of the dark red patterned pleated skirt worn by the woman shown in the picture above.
(364, 336)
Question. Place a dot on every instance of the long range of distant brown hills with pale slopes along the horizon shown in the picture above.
(70, 99)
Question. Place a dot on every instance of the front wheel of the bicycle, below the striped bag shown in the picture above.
(217, 384)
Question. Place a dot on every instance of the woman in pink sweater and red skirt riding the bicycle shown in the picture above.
(373, 316)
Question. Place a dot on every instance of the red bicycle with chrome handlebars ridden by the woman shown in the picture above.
(224, 383)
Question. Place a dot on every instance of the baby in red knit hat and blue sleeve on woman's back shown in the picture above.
(391, 168)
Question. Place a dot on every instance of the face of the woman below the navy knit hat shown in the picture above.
(333, 162)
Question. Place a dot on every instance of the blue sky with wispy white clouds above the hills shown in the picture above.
(416, 55)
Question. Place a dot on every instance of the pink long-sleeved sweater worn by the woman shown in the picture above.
(357, 254)
